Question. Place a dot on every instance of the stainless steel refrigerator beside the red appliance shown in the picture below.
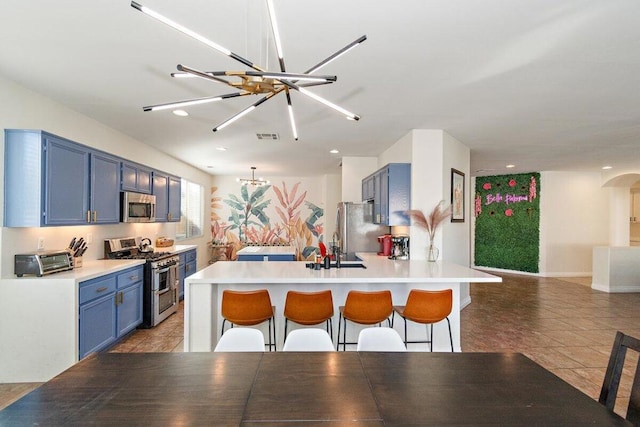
(355, 228)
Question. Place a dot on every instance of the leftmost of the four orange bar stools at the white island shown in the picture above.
(249, 308)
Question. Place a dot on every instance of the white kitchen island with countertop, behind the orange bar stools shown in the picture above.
(203, 292)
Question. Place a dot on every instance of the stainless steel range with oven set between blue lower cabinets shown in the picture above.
(160, 297)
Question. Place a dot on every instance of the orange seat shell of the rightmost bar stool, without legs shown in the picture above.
(428, 306)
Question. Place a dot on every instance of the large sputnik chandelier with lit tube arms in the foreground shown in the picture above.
(255, 82)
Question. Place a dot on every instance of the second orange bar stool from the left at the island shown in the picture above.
(309, 308)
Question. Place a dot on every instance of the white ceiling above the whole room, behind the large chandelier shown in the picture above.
(542, 84)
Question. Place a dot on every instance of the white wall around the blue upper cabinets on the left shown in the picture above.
(21, 108)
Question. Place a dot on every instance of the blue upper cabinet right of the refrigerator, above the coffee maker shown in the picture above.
(390, 190)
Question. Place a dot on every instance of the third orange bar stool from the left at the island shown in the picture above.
(364, 308)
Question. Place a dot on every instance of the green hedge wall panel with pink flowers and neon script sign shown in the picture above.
(507, 222)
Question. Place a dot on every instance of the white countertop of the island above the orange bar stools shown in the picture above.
(379, 270)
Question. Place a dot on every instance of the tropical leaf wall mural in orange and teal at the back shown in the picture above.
(277, 214)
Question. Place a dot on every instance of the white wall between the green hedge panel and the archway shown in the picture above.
(574, 218)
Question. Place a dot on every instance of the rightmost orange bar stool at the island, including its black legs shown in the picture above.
(426, 307)
